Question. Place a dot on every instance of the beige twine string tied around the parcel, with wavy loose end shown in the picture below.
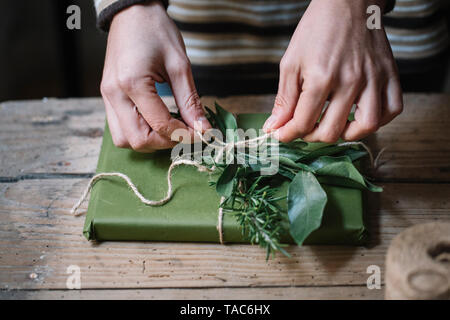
(223, 147)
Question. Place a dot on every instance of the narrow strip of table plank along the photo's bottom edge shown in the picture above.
(276, 293)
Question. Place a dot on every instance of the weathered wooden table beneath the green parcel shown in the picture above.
(49, 150)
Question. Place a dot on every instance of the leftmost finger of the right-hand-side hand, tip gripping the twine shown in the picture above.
(286, 99)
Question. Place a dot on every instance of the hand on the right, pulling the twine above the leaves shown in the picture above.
(334, 56)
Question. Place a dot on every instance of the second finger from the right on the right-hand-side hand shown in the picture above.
(367, 114)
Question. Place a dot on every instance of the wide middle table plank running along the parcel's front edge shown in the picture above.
(39, 240)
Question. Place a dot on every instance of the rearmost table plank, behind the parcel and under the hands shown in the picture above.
(64, 136)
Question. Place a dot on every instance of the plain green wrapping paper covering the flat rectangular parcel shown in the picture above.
(115, 213)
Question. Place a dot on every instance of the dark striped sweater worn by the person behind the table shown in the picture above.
(235, 46)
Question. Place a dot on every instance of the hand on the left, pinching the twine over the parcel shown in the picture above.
(144, 47)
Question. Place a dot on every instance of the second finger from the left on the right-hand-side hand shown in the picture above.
(307, 111)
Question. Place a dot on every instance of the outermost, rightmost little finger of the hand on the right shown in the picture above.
(392, 101)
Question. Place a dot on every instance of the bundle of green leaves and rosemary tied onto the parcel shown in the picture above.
(252, 198)
